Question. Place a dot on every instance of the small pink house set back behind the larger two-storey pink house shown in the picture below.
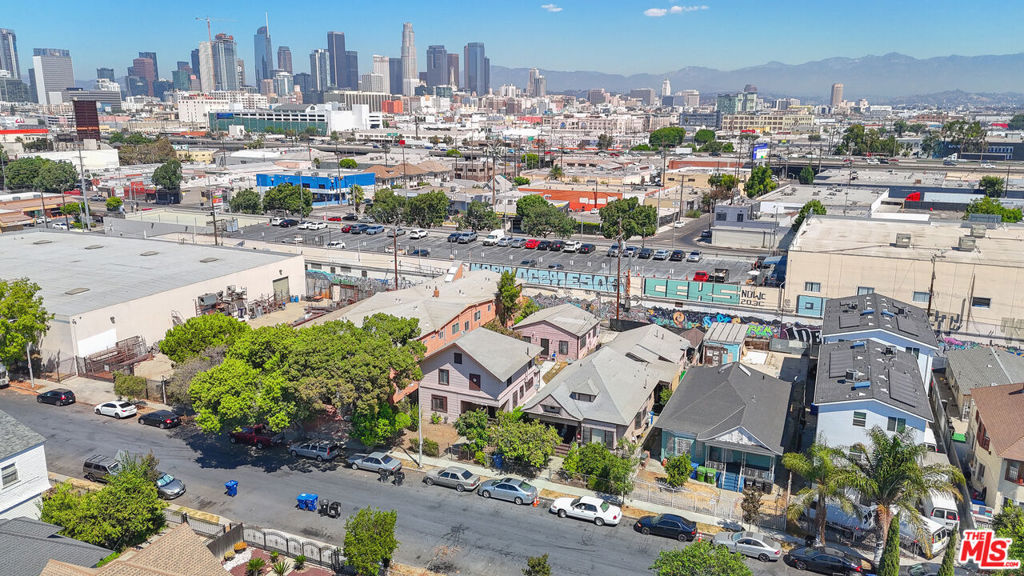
(566, 331)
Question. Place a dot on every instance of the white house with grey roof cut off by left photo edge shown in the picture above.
(23, 470)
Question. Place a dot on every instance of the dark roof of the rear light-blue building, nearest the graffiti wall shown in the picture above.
(876, 312)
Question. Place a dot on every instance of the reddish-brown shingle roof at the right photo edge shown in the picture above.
(1001, 409)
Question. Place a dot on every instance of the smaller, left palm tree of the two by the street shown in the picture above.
(820, 467)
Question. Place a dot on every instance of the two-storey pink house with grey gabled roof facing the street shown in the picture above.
(483, 369)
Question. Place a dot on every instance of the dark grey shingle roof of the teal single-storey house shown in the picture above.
(714, 401)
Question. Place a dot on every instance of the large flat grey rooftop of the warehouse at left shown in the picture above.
(79, 273)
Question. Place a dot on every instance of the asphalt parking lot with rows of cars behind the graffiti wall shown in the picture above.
(437, 242)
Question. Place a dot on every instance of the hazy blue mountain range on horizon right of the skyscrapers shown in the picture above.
(878, 78)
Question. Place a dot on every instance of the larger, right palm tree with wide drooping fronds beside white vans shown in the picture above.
(890, 476)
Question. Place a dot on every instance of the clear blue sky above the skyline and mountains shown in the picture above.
(615, 36)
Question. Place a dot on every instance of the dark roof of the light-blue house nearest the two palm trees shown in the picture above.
(859, 371)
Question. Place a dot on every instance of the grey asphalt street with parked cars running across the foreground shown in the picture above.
(490, 538)
